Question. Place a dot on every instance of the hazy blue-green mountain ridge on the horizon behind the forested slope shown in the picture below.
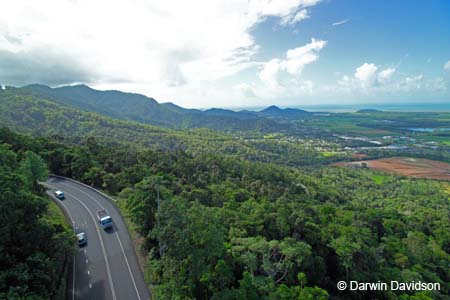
(139, 108)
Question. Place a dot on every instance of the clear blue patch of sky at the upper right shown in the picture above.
(415, 34)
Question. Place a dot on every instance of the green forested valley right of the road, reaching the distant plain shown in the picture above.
(247, 215)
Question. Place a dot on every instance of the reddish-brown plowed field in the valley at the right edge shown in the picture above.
(414, 167)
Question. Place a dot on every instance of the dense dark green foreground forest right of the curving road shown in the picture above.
(225, 227)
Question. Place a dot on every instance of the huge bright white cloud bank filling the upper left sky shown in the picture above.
(167, 43)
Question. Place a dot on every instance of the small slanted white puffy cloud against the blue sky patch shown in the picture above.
(294, 63)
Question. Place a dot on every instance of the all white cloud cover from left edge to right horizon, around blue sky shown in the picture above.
(176, 51)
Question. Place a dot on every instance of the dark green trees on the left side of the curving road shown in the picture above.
(35, 243)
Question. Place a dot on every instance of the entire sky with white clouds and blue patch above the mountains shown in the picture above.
(233, 53)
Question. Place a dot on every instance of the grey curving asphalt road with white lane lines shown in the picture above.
(106, 267)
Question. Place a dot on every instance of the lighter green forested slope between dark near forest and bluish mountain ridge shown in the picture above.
(39, 117)
